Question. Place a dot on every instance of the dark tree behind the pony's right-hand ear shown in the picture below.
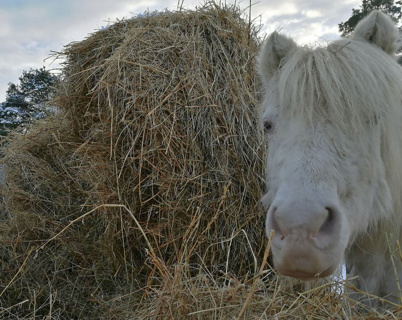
(387, 6)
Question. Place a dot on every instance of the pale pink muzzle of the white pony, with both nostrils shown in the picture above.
(305, 234)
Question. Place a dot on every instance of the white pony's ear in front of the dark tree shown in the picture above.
(378, 28)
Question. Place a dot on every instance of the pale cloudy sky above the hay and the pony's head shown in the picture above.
(32, 29)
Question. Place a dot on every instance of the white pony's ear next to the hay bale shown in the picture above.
(273, 51)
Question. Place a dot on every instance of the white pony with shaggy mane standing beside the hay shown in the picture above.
(333, 118)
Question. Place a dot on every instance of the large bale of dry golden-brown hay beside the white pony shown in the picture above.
(154, 161)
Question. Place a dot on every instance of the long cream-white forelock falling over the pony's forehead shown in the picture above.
(348, 83)
